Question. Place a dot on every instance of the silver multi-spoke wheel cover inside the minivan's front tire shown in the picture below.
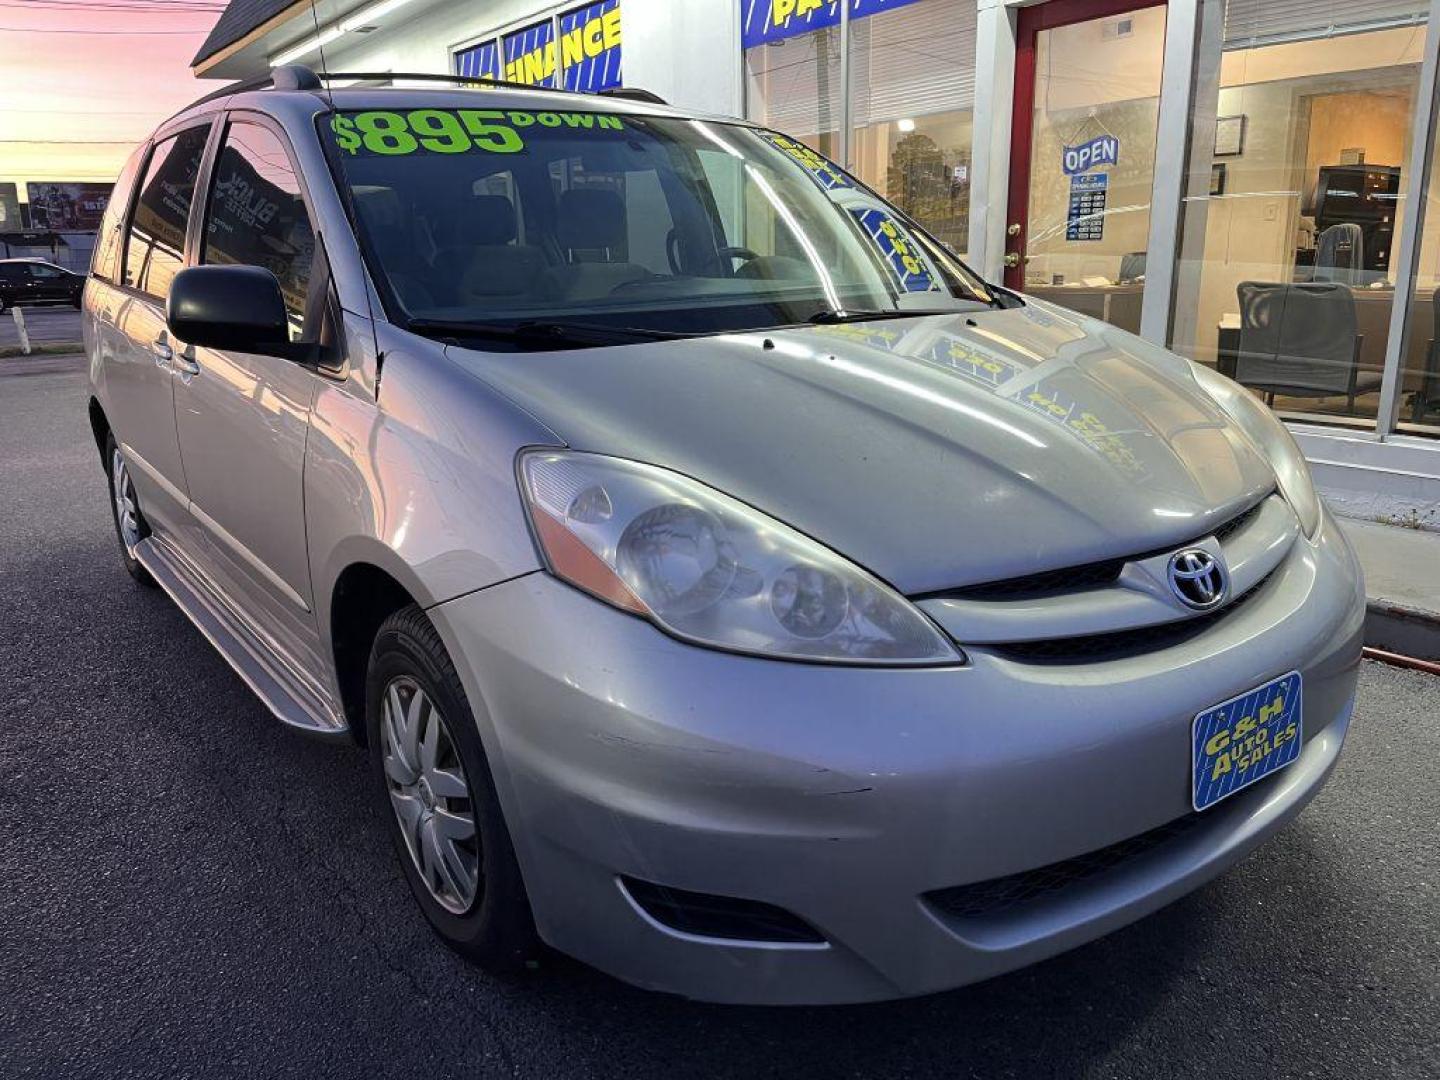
(430, 796)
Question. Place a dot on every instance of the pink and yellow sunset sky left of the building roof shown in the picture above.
(87, 80)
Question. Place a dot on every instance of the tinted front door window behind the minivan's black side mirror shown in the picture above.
(258, 217)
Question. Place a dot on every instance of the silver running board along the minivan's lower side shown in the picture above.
(293, 703)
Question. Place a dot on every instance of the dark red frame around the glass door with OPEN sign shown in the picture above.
(1032, 21)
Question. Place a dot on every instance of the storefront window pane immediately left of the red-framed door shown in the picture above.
(912, 70)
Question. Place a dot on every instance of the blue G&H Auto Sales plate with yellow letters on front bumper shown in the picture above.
(1238, 742)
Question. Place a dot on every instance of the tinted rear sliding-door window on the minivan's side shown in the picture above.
(155, 250)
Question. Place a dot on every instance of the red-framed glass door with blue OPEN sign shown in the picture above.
(1088, 86)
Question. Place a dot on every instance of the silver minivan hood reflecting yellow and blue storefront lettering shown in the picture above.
(935, 451)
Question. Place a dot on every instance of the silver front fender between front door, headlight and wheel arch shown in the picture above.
(420, 483)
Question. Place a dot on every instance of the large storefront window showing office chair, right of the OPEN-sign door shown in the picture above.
(1297, 197)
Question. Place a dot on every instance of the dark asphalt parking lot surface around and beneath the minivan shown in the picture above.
(189, 891)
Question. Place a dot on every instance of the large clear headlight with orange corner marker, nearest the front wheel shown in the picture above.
(714, 571)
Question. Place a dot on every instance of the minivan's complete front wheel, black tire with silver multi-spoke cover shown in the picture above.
(438, 798)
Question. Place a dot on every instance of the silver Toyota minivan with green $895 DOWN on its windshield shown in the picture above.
(729, 587)
